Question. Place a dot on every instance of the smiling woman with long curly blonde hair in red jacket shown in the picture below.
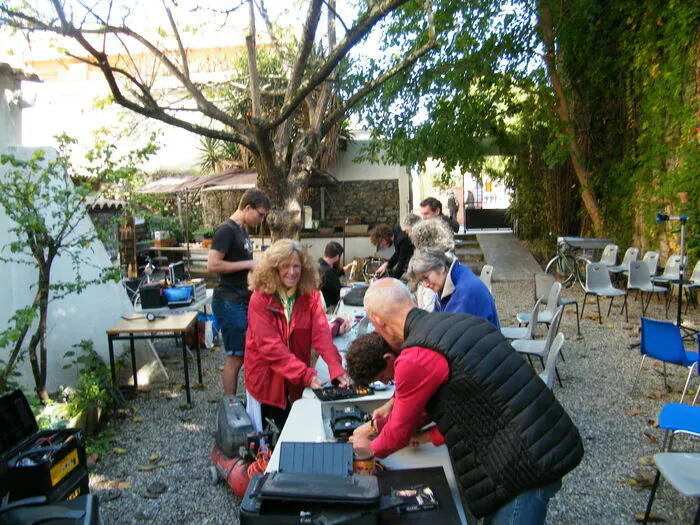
(285, 318)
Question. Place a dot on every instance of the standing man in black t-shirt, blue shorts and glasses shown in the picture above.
(231, 257)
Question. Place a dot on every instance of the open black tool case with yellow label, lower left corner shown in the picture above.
(47, 463)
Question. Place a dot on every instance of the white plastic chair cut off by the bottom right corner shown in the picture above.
(682, 471)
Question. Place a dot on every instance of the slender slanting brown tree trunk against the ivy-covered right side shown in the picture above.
(590, 200)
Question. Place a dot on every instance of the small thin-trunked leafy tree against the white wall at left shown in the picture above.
(46, 209)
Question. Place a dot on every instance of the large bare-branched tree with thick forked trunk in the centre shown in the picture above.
(284, 156)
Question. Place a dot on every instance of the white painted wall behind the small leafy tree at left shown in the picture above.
(76, 317)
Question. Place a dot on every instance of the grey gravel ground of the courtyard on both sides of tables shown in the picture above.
(617, 428)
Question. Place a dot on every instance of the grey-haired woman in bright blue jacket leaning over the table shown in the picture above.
(458, 289)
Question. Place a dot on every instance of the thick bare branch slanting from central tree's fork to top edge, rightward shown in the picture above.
(363, 26)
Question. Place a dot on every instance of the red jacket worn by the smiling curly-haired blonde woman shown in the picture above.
(277, 355)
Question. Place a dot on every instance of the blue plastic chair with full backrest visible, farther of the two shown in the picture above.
(662, 340)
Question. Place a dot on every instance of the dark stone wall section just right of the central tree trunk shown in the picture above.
(376, 201)
